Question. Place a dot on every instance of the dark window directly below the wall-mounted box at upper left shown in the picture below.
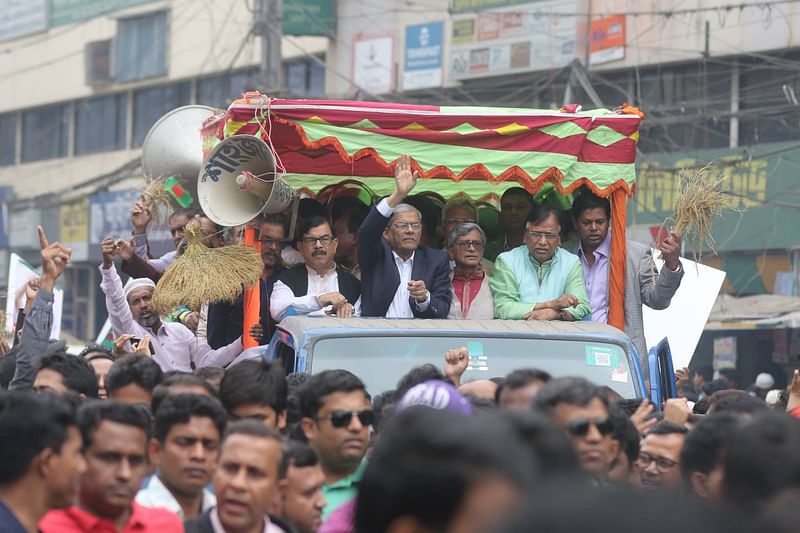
(100, 124)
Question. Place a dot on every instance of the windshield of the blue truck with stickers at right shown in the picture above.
(381, 361)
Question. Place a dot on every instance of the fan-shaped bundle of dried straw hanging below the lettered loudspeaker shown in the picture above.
(207, 275)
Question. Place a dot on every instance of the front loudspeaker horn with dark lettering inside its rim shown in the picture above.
(238, 182)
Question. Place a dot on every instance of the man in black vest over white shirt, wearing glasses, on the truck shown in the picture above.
(319, 286)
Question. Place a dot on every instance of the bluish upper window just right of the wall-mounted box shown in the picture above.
(140, 48)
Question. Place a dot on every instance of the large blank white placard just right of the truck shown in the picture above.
(683, 321)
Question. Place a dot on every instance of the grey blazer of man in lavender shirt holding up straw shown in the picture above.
(644, 285)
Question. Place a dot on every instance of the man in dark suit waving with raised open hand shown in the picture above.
(400, 278)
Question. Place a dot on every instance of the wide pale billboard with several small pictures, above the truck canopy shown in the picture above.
(522, 38)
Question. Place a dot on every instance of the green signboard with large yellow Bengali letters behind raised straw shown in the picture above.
(761, 182)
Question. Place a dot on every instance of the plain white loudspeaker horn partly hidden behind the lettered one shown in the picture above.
(174, 146)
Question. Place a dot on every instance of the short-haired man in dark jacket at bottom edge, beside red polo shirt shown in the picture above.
(246, 482)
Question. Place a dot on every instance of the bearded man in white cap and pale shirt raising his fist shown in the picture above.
(130, 311)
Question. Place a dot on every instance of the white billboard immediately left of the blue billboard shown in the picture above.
(373, 64)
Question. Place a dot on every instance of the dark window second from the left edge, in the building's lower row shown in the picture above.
(45, 132)
